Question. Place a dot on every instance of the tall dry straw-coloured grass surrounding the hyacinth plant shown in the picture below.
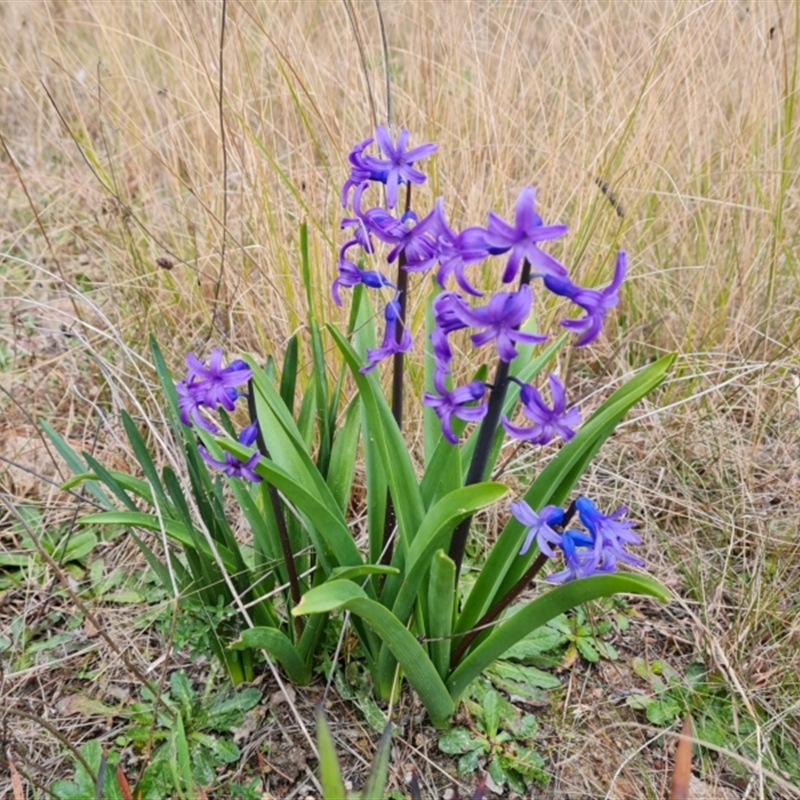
(113, 160)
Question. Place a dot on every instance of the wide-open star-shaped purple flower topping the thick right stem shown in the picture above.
(522, 238)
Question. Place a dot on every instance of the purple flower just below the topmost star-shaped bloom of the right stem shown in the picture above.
(500, 318)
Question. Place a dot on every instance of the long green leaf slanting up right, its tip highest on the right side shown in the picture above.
(504, 566)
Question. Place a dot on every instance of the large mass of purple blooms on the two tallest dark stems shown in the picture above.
(419, 245)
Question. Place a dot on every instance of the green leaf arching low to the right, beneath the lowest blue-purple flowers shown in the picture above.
(537, 613)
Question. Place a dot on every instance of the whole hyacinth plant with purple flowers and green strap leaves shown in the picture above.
(417, 614)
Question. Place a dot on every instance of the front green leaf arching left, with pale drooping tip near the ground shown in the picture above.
(409, 653)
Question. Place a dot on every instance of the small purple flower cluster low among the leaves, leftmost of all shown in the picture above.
(212, 386)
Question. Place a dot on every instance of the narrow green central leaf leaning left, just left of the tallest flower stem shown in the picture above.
(382, 428)
